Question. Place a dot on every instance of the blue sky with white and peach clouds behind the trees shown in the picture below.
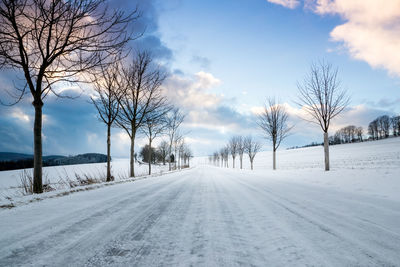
(225, 58)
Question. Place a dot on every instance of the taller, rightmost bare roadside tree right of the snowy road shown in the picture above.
(322, 97)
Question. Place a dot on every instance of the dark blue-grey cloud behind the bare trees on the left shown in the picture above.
(71, 126)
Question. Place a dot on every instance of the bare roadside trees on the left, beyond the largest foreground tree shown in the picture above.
(131, 98)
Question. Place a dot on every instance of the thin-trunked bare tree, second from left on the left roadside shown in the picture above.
(106, 102)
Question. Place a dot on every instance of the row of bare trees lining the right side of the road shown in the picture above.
(321, 97)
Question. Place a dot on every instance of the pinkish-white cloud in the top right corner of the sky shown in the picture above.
(370, 31)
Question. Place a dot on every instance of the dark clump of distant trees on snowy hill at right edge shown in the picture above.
(381, 126)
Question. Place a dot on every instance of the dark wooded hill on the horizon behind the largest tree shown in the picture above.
(13, 161)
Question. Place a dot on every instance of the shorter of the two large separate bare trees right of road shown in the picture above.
(273, 122)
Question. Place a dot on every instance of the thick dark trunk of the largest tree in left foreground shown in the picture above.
(37, 147)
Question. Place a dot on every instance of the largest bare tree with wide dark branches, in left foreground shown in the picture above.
(54, 41)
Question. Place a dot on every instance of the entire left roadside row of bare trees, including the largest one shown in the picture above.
(53, 42)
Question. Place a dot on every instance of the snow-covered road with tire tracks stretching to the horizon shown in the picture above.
(206, 216)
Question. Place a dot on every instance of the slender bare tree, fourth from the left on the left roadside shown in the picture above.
(154, 125)
